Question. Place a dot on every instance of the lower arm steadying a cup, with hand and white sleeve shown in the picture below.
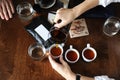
(64, 70)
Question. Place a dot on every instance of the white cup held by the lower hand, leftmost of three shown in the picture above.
(56, 50)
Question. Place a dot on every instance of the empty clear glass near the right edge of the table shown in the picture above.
(111, 26)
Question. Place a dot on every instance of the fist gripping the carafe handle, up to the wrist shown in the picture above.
(65, 16)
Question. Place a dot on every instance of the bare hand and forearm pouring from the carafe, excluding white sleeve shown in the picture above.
(68, 15)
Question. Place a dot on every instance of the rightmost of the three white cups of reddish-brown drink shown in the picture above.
(89, 54)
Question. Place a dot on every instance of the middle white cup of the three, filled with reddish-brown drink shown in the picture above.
(72, 55)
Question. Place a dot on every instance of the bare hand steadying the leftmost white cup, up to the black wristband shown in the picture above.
(63, 69)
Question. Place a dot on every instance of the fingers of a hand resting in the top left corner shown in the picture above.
(6, 9)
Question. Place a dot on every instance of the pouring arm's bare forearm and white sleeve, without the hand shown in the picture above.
(89, 4)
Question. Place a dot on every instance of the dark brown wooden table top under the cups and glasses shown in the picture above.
(15, 63)
